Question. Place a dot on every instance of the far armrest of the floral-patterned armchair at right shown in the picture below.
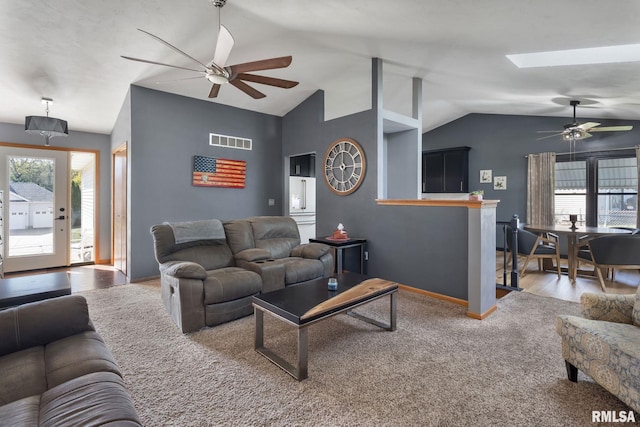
(607, 307)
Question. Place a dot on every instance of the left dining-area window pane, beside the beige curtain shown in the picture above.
(571, 191)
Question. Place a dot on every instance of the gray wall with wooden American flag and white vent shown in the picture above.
(167, 131)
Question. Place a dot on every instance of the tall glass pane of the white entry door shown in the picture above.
(31, 182)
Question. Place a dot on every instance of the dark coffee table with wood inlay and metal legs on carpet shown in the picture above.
(305, 304)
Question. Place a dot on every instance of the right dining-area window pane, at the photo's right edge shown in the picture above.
(617, 192)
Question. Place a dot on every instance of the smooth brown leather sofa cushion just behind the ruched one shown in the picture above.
(75, 356)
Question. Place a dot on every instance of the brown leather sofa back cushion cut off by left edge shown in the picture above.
(22, 374)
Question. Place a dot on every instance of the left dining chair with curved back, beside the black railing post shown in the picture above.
(531, 245)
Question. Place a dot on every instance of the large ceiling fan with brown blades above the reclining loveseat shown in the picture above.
(237, 75)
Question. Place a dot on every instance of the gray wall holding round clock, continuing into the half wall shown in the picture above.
(405, 243)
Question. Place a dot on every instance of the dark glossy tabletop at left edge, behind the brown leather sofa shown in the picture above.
(24, 289)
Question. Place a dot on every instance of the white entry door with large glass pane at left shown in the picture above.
(36, 212)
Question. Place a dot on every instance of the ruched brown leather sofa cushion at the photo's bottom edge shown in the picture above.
(90, 400)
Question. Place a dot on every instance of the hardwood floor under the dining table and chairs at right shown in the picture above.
(546, 283)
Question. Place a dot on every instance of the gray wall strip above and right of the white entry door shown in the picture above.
(13, 133)
